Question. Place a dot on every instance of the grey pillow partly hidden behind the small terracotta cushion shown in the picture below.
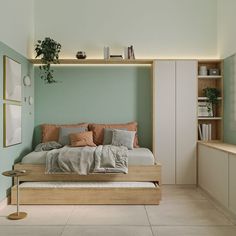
(65, 131)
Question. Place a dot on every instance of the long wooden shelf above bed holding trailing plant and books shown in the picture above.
(97, 61)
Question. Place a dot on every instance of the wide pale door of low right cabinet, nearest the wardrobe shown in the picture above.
(213, 172)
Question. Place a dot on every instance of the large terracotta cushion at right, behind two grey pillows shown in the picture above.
(98, 131)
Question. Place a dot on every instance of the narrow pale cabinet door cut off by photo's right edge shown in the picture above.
(232, 183)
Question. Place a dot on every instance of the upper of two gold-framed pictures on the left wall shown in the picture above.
(12, 79)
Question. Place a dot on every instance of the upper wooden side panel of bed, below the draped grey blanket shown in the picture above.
(150, 173)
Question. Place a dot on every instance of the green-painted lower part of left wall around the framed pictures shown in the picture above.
(9, 155)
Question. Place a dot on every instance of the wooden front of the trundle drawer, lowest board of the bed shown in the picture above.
(87, 195)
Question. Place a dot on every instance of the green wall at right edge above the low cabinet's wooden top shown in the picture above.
(230, 100)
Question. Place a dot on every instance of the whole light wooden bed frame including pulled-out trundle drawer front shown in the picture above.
(149, 173)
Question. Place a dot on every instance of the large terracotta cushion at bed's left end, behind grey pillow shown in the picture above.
(50, 132)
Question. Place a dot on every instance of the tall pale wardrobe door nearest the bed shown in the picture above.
(164, 118)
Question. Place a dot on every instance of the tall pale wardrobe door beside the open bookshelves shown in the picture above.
(186, 121)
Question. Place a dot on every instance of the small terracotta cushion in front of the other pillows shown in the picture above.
(82, 139)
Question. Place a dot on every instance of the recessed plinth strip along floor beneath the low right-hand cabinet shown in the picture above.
(224, 210)
